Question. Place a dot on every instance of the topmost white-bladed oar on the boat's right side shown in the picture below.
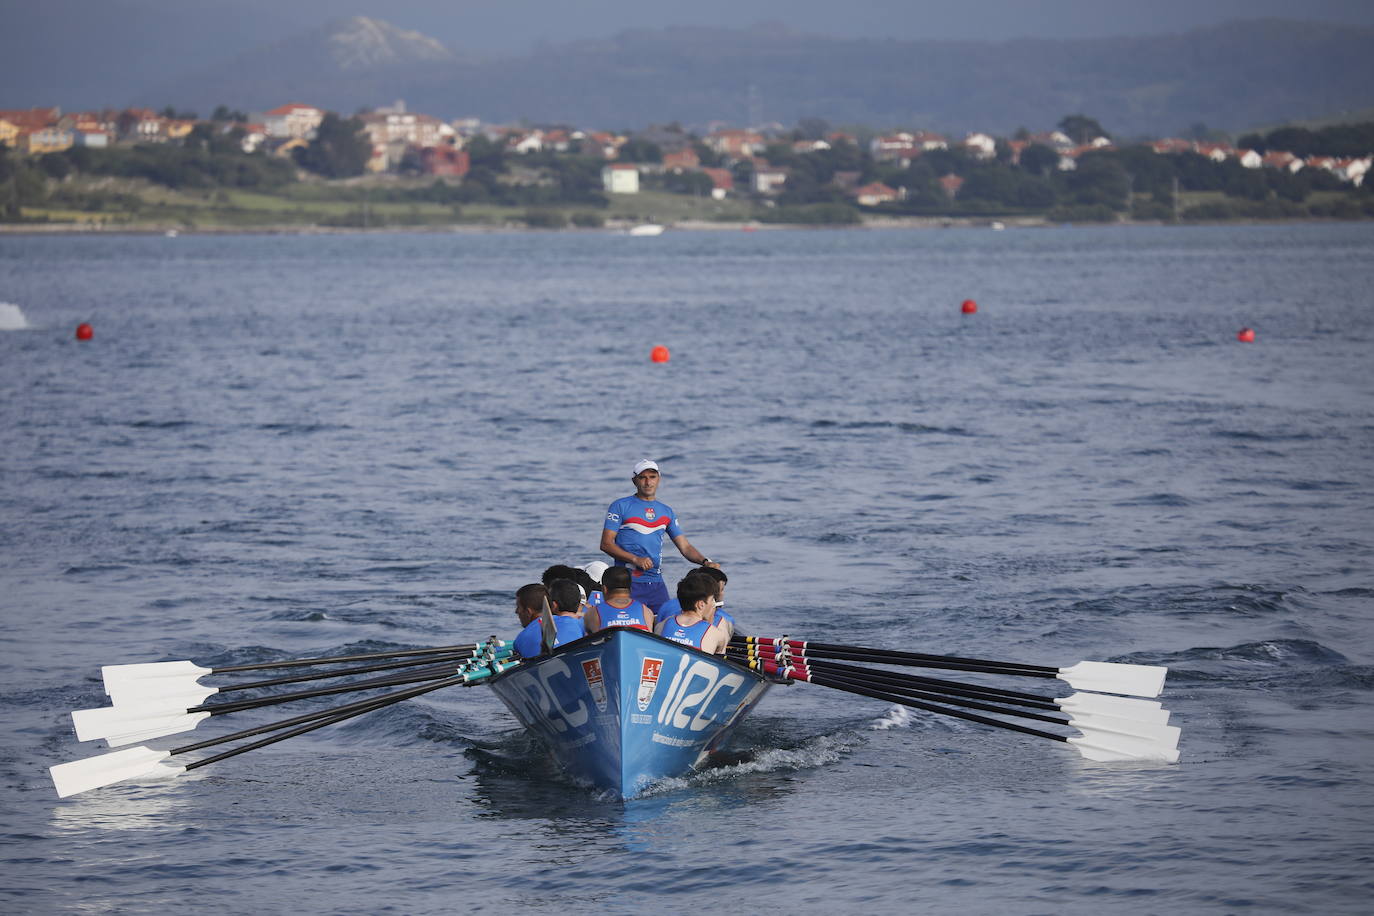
(1110, 678)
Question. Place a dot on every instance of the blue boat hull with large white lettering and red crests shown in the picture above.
(623, 709)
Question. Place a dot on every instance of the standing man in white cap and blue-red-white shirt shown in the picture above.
(634, 536)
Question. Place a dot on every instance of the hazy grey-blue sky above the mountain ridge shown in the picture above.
(91, 53)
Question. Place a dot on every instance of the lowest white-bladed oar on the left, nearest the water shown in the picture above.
(145, 763)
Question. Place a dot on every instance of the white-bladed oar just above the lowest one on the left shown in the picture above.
(133, 723)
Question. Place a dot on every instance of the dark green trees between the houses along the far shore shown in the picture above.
(1107, 185)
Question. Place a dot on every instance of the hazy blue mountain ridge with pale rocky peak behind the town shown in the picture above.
(1230, 76)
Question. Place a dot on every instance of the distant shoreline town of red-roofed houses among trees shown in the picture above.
(810, 174)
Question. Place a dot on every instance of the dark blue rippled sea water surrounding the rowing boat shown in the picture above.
(297, 446)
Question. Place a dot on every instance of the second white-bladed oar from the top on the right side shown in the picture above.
(1100, 704)
